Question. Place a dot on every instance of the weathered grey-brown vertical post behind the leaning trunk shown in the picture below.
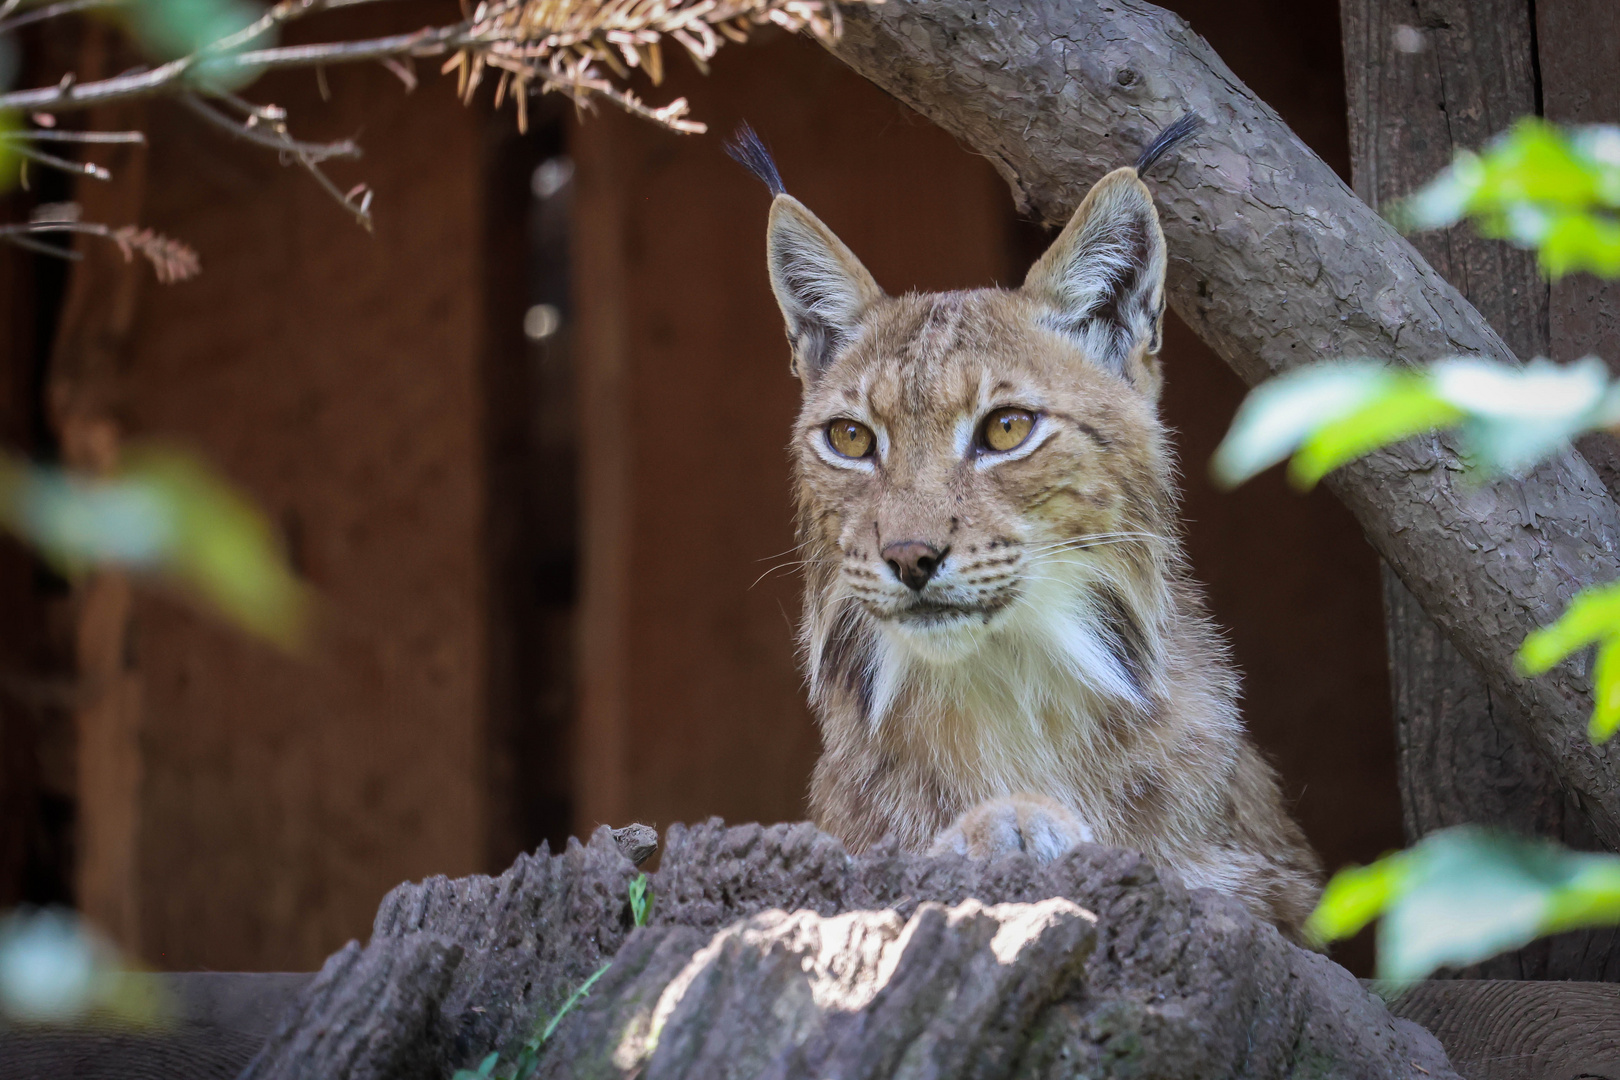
(1423, 80)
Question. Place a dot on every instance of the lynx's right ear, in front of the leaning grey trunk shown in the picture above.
(1104, 279)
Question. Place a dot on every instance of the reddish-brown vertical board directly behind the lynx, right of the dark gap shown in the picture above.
(706, 710)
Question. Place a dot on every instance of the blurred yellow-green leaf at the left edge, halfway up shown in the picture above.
(168, 516)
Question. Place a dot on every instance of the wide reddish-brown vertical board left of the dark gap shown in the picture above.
(333, 375)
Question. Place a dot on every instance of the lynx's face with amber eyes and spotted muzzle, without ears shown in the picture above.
(966, 462)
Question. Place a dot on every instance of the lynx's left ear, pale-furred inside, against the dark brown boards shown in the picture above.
(821, 286)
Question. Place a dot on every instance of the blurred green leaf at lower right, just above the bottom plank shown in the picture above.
(1462, 896)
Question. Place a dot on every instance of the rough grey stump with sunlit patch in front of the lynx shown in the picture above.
(772, 953)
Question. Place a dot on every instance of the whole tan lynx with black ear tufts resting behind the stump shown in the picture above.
(1004, 645)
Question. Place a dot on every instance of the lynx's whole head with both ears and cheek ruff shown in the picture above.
(983, 467)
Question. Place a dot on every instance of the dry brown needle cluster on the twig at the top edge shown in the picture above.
(565, 46)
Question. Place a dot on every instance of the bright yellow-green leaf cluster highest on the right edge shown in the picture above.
(1540, 187)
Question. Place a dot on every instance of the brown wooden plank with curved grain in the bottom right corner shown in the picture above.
(1511, 1031)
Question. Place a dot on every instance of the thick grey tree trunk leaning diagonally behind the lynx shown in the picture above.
(1276, 263)
